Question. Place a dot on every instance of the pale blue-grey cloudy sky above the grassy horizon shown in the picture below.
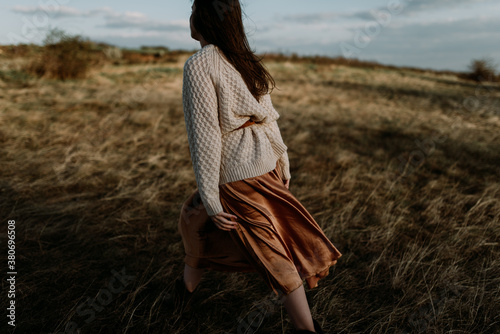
(434, 34)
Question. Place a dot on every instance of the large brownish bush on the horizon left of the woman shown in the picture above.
(63, 57)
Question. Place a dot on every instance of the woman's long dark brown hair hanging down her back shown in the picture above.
(220, 23)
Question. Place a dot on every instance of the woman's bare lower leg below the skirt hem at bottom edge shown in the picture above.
(298, 309)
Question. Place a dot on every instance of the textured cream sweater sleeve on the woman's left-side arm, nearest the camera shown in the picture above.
(200, 104)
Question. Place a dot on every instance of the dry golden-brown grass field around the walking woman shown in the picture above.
(400, 168)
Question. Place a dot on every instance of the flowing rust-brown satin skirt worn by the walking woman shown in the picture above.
(276, 237)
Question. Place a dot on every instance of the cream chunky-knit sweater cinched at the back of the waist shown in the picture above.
(216, 102)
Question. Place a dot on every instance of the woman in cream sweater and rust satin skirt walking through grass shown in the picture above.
(242, 217)
